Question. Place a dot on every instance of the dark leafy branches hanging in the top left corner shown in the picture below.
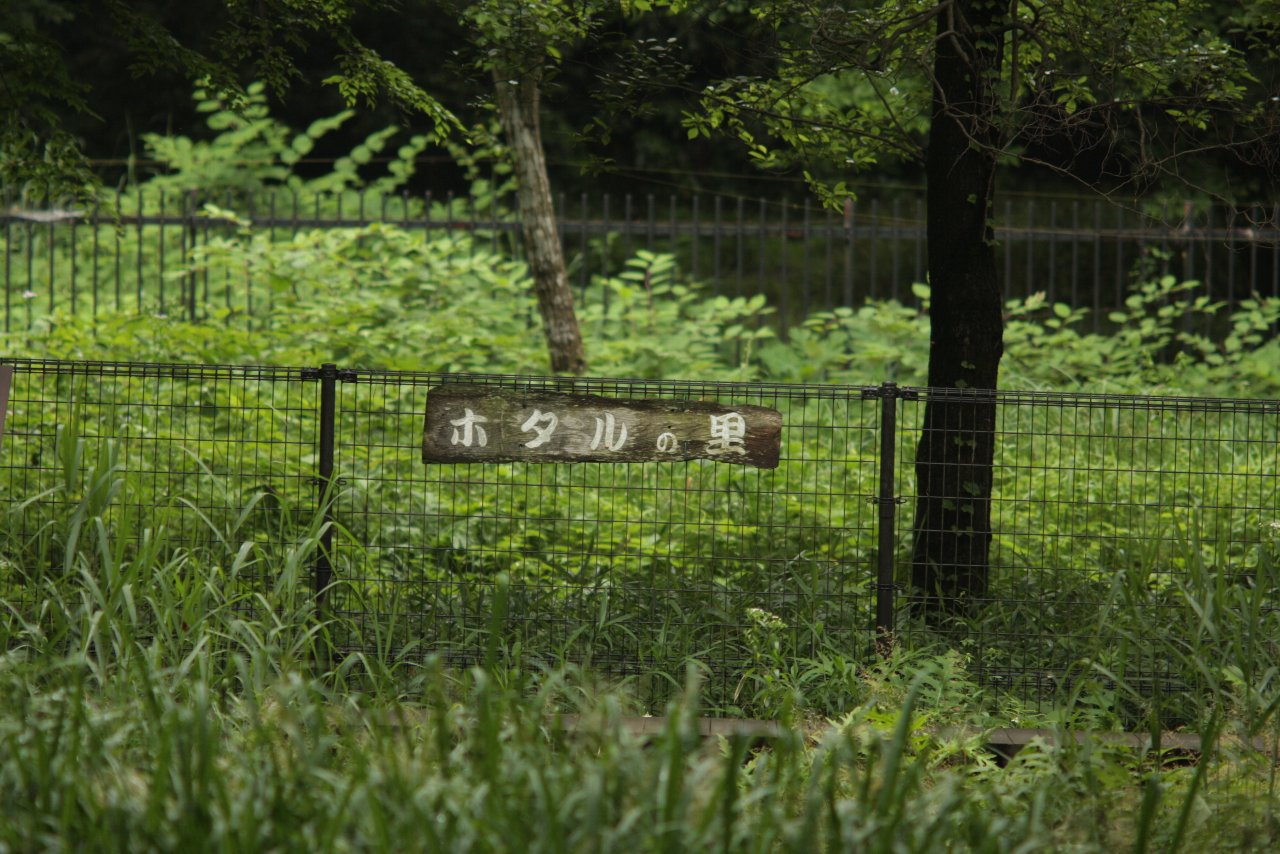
(39, 88)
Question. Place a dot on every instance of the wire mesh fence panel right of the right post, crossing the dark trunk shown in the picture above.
(1104, 508)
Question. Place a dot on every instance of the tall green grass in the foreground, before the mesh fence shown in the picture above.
(152, 702)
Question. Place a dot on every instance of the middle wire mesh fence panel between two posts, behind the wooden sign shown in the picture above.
(634, 568)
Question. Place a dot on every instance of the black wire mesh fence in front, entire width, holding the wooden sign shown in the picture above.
(1103, 508)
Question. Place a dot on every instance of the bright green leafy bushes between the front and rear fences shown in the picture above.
(383, 298)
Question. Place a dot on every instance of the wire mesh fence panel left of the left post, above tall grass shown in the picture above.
(200, 459)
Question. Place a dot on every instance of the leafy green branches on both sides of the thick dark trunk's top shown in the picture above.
(1144, 85)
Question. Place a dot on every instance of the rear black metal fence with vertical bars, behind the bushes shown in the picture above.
(127, 252)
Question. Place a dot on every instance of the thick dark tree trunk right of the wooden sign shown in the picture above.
(953, 465)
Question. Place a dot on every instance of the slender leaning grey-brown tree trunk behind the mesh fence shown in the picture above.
(518, 111)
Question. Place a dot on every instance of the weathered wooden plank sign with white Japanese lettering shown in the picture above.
(484, 424)
